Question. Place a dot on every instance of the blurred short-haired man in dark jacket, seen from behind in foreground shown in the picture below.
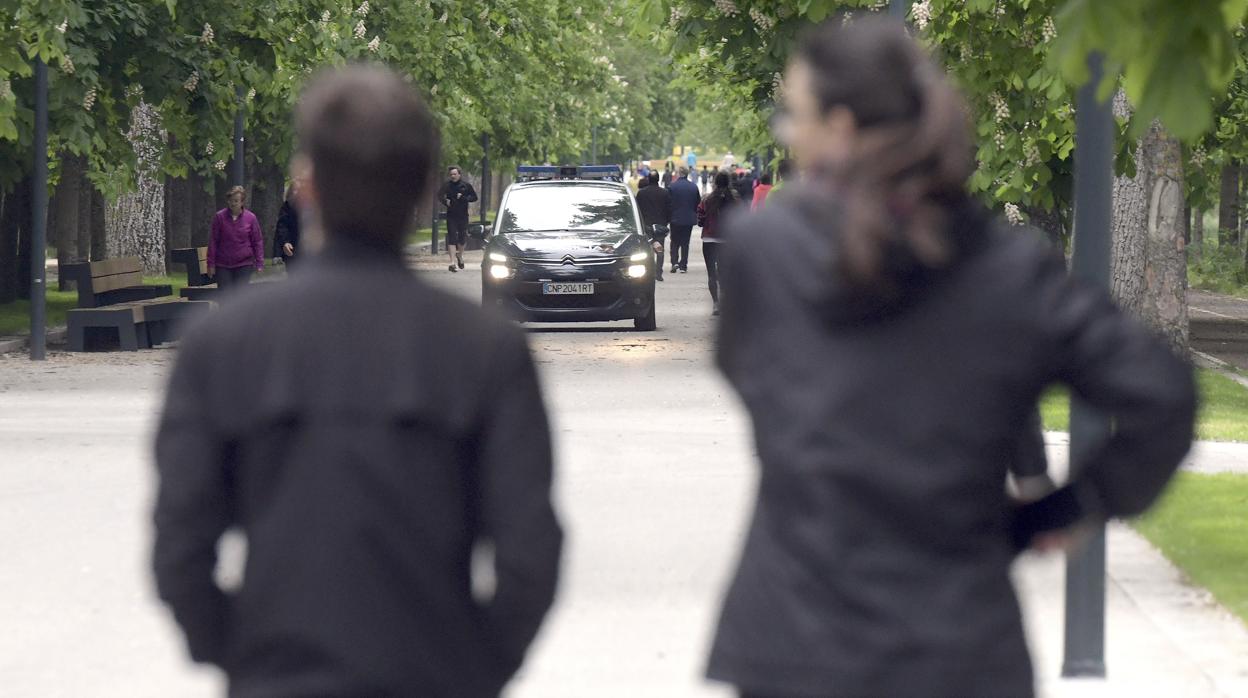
(364, 483)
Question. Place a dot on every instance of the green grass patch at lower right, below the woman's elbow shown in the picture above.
(1202, 526)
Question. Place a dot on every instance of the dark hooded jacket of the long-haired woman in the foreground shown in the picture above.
(878, 558)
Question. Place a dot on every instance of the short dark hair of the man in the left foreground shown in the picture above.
(373, 144)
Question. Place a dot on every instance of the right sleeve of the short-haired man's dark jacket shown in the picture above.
(516, 470)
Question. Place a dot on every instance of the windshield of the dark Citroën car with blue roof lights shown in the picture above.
(572, 208)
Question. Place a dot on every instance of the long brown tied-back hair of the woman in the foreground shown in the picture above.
(914, 149)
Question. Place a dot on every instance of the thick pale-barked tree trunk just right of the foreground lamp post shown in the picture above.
(1150, 264)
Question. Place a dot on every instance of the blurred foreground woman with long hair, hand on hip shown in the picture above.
(878, 559)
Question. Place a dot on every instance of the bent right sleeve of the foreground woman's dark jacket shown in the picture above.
(1121, 370)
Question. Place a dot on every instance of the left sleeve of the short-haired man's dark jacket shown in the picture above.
(194, 508)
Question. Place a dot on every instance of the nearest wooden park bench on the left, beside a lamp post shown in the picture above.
(113, 302)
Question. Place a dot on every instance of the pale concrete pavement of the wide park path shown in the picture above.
(655, 485)
